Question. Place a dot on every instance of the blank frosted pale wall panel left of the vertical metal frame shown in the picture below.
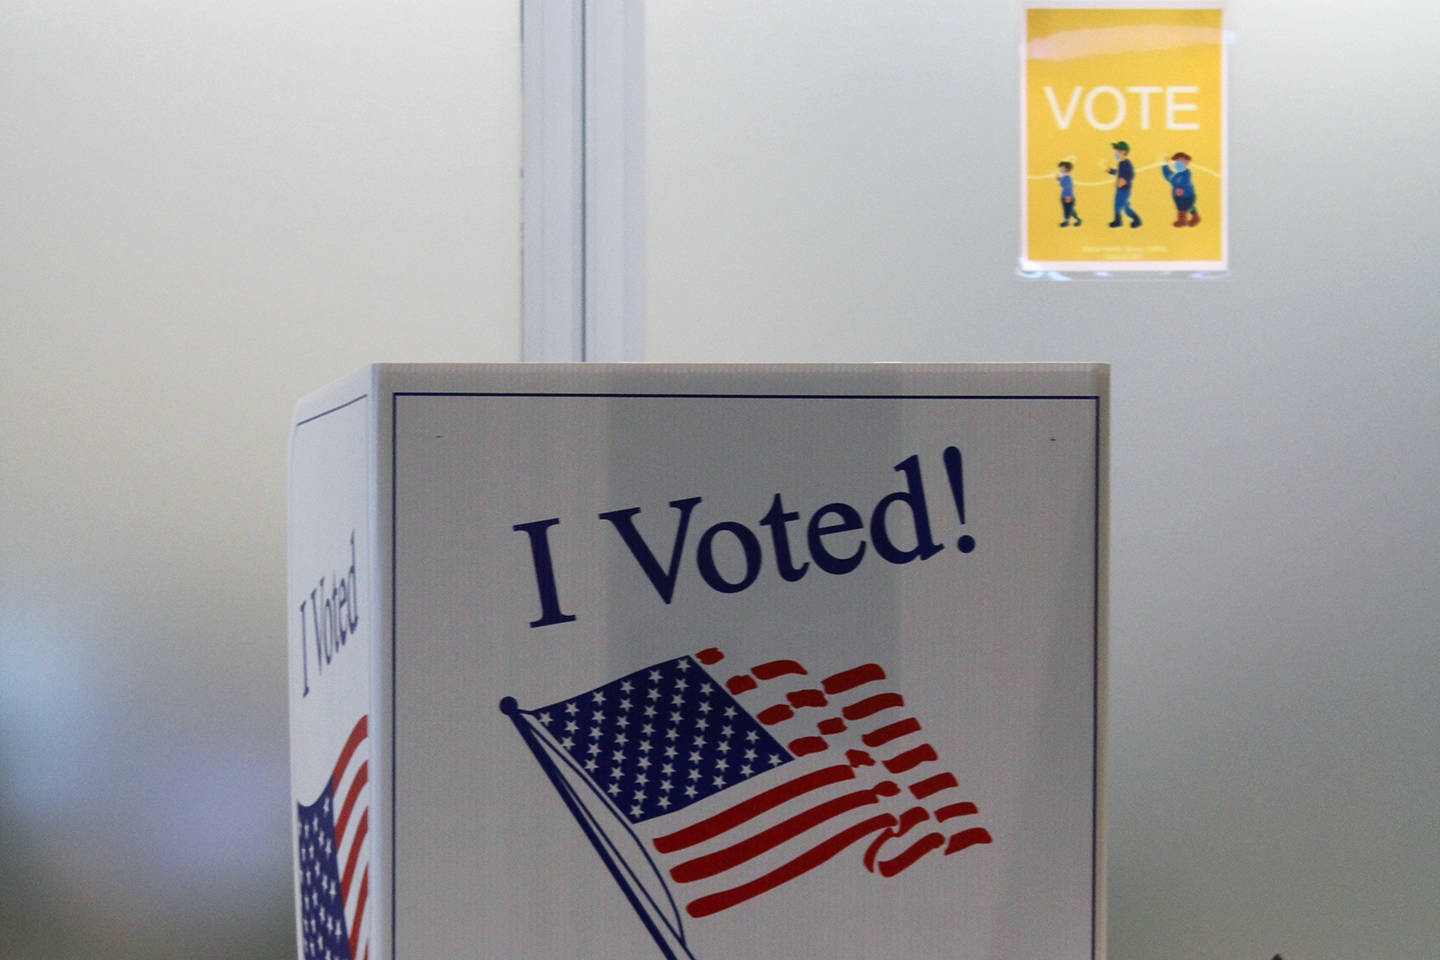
(207, 211)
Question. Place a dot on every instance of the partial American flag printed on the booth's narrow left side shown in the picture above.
(335, 859)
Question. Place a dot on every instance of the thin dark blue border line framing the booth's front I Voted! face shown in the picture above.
(1095, 579)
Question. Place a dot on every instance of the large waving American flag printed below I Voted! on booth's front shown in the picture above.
(703, 788)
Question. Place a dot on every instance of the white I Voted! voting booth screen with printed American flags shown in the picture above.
(699, 663)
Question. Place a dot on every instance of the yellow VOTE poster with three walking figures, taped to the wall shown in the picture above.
(1124, 140)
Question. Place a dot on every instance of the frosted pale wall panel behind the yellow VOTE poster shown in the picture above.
(836, 181)
